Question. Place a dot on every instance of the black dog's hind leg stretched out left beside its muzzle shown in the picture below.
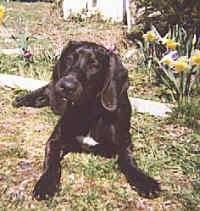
(37, 98)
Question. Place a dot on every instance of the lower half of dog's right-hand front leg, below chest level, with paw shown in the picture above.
(144, 184)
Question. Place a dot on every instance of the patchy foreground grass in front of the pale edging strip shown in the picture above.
(90, 182)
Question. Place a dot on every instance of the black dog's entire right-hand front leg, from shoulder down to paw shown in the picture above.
(145, 185)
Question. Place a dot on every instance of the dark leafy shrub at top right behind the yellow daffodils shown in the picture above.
(165, 13)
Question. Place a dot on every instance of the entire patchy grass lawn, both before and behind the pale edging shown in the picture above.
(166, 151)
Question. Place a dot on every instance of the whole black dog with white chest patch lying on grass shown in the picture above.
(89, 90)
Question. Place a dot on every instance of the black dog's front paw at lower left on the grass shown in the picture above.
(45, 188)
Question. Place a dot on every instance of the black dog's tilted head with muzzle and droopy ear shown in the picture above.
(86, 71)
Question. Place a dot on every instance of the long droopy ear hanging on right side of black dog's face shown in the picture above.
(109, 91)
